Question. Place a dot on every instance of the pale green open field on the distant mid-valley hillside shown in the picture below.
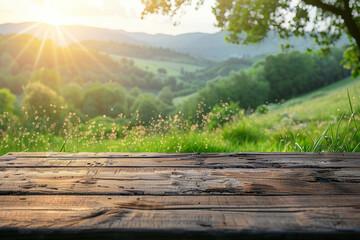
(173, 68)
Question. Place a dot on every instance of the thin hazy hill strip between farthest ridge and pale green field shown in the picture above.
(144, 52)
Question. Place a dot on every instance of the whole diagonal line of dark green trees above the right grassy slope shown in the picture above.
(278, 77)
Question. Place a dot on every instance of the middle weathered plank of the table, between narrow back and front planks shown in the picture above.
(178, 181)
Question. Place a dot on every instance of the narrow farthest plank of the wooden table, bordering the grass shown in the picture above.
(187, 160)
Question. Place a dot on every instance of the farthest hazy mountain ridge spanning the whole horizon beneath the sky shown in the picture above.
(197, 44)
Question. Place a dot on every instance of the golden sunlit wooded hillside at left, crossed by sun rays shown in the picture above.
(24, 54)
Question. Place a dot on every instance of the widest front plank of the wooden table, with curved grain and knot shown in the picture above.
(201, 213)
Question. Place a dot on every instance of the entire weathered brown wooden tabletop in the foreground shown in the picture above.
(225, 195)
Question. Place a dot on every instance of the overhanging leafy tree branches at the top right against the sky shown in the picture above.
(324, 20)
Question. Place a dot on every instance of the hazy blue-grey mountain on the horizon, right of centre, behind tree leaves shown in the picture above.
(214, 45)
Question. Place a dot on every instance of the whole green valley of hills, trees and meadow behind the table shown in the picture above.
(96, 96)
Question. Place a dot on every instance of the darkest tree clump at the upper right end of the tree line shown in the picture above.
(295, 73)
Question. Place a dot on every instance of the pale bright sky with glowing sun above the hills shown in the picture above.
(113, 14)
